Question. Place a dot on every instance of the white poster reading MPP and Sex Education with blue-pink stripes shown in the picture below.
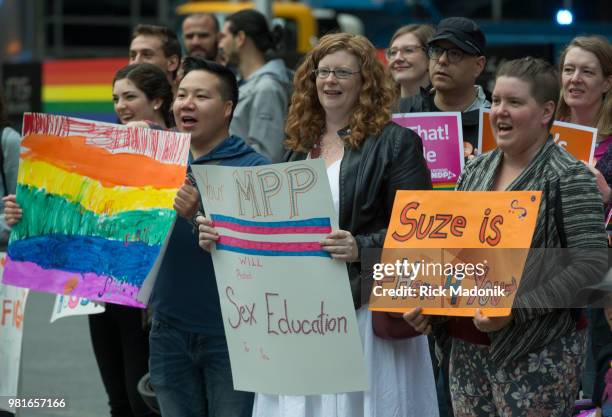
(287, 308)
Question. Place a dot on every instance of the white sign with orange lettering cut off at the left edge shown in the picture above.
(12, 308)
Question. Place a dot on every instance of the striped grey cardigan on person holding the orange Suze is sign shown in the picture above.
(570, 216)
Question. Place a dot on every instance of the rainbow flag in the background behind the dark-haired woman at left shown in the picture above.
(80, 87)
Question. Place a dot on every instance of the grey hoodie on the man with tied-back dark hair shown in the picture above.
(262, 107)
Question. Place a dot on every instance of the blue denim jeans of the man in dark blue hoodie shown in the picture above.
(192, 376)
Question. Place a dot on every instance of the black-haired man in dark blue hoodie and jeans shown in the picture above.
(189, 360)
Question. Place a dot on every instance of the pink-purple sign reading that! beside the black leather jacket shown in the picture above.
(442, 136)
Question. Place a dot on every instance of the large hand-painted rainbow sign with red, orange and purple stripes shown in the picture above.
(97, 206)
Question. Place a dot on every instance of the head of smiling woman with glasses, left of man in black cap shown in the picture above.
(407, 58)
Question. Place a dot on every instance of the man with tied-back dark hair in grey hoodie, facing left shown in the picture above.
(265, 87)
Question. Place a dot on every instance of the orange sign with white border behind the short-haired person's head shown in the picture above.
(578, 140)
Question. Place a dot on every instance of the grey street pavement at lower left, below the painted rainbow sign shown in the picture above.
(58, 362)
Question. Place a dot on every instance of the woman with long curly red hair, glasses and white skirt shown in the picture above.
(340, 112)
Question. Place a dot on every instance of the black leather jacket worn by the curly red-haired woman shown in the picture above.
(369, 178)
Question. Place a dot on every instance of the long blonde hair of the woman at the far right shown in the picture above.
(601, 48)
